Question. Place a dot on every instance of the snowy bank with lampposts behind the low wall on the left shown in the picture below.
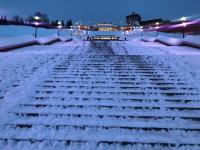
(12, 37)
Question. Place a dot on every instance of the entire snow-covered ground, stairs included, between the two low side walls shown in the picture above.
(100, 95)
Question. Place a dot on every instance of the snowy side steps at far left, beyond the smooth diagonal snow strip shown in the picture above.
(13, 72)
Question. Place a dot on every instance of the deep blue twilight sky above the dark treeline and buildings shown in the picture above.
(101, 10)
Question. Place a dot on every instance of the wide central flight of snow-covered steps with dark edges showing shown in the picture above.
(107, 102)
